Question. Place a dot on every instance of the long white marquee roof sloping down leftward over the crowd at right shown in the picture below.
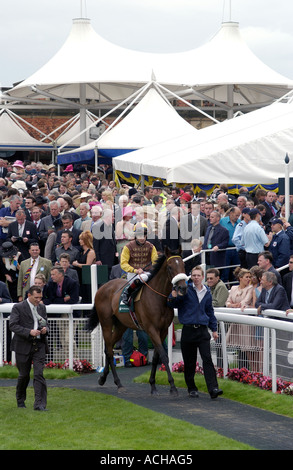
(249, 149)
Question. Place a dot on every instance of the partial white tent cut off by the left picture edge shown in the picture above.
(13, 136)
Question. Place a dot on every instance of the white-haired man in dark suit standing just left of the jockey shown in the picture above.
(104, 241)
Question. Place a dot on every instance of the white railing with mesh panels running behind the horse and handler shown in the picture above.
(261, 344)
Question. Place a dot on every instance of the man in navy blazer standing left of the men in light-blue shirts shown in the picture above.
(216, 238)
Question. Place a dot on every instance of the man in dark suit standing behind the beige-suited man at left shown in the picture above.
(22, 233)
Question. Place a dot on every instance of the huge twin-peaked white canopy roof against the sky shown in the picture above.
(111, 72)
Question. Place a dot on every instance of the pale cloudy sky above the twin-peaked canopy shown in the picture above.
(32, 31)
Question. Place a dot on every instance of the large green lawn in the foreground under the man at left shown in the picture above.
(79, 420)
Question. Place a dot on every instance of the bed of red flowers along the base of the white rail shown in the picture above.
(244, 376)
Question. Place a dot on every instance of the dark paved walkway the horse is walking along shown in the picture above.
(258, 428)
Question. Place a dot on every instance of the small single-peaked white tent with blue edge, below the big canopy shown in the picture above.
(152, 120)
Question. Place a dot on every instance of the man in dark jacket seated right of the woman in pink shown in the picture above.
(273, 295)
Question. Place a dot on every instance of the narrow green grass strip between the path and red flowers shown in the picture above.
(243, 393)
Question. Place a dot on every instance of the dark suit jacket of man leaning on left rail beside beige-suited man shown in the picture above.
(69, 287)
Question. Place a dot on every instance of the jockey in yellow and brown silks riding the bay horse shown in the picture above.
(136, 259)
